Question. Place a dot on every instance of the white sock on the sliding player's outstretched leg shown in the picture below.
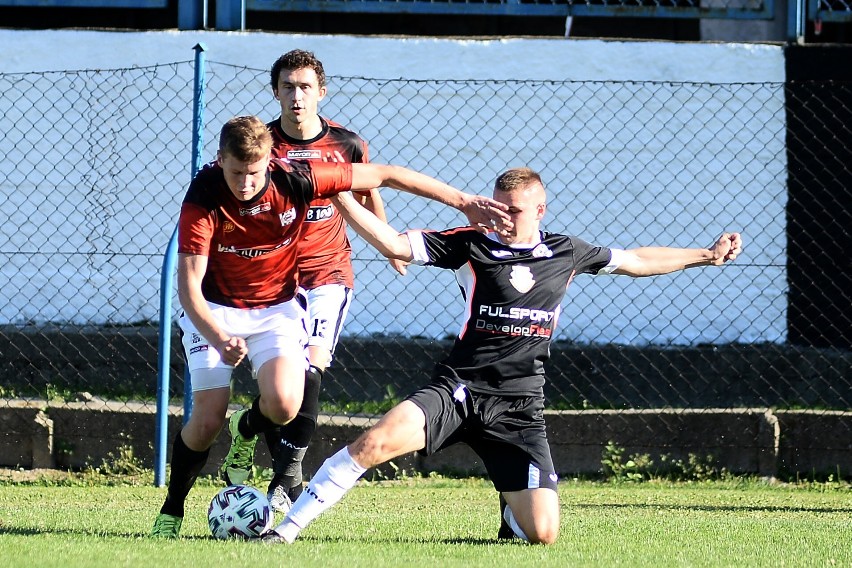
(338, 474)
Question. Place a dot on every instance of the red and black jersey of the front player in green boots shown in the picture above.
(252, 245)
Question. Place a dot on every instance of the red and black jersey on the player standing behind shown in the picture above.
(324, 250)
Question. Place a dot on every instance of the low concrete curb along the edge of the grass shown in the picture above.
(38, 434)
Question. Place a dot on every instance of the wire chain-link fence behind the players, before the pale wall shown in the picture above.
(96, 163)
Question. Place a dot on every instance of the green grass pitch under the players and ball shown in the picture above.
(446, 522)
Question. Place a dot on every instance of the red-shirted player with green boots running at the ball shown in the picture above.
(238, 233)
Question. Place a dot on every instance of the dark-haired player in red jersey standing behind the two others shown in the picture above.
(325, 265)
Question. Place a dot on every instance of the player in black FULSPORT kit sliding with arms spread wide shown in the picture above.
(488, 391)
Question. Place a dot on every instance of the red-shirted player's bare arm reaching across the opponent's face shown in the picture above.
(483, 213)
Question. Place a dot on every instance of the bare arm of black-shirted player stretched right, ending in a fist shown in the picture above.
(650, 261)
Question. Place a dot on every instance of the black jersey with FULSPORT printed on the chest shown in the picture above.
(513, 297)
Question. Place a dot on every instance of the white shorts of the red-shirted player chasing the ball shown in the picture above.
(276, 331)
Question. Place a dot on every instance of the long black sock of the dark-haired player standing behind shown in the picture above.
(289, 443)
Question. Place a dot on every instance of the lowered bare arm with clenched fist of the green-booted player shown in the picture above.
(191, 270)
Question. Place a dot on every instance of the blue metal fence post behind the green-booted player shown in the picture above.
(166, 288)
